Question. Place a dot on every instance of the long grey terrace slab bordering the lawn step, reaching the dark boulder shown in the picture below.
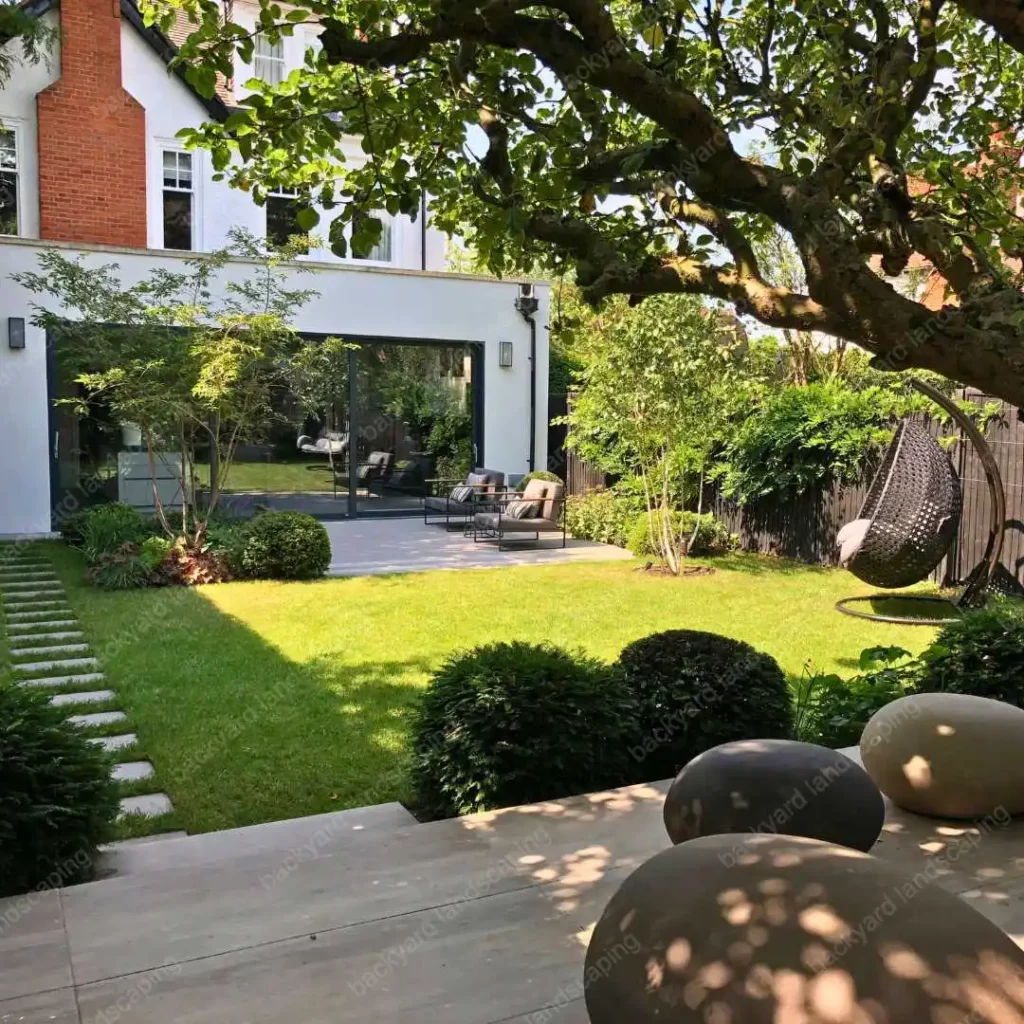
(268, 897)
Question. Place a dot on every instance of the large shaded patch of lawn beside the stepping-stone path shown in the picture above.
(240, 734)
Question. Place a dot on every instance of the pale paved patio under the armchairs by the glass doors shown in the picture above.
(374, 547)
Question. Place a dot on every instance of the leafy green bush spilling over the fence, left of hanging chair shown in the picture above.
(806, 437)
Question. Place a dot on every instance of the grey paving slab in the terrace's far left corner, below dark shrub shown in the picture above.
(33, 950)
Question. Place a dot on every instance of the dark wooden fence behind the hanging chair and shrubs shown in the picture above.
(805, 528)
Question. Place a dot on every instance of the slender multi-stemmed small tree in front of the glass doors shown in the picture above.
(172, 358)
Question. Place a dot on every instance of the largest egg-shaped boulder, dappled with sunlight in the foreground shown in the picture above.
(780, 930)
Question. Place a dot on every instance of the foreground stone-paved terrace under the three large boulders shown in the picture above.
(369, 917)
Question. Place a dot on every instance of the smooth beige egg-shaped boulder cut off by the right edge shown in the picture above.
(948, 755)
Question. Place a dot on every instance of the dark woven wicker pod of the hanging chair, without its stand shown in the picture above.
(914, 508)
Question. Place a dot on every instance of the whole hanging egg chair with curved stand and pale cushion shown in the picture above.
(912, 516)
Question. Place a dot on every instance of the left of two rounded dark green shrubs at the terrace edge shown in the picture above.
(515, 723)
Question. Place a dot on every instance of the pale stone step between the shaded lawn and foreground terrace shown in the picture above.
(304, 838)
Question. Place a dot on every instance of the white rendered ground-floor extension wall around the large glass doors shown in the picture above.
(353, 301)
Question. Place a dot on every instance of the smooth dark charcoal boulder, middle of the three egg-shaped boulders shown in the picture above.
(773, 787)
